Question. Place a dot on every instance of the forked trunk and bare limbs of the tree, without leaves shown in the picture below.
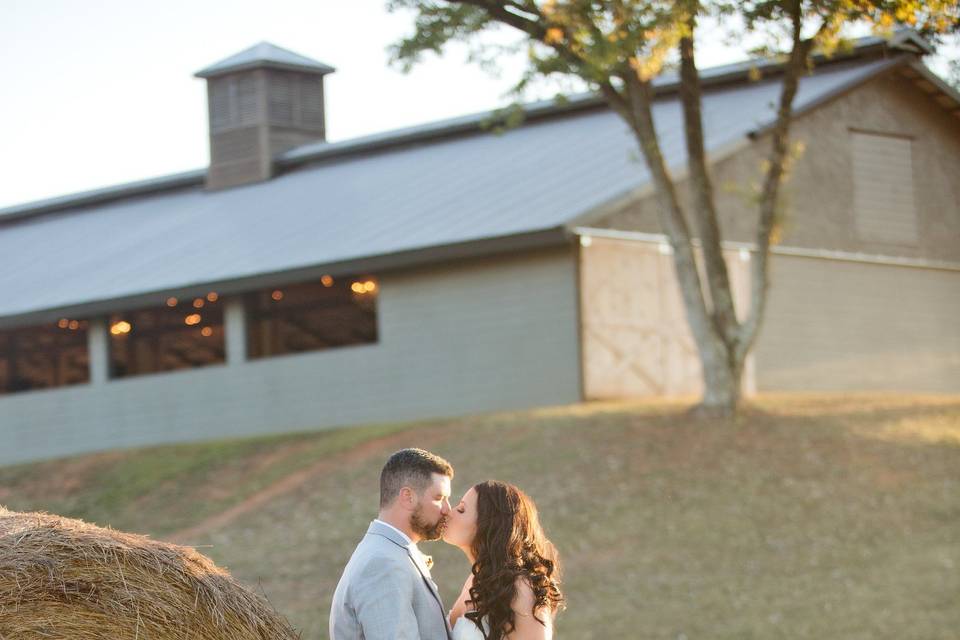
(722, 341)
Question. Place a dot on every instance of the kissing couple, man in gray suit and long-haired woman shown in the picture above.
(386, 591)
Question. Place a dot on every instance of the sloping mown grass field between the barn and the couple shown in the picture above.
(808, 517)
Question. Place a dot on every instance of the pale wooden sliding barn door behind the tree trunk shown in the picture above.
(635, 336)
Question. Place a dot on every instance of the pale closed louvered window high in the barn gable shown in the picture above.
(883, 197)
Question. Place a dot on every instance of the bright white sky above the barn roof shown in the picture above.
(101, 93)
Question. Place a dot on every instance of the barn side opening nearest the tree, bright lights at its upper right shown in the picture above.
(329, 313)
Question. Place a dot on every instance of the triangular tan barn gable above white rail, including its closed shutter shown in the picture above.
(888, 130)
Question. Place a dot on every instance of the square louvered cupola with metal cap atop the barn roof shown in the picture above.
(261, 102)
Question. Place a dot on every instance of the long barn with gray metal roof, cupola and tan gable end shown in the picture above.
(444, 270)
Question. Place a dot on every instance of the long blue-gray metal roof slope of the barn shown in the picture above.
(357, 204)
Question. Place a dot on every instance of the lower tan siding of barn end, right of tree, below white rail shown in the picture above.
(835, 325)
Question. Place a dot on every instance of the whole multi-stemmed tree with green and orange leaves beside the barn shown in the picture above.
(617, 47)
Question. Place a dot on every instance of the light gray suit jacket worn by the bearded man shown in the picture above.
(386, 593)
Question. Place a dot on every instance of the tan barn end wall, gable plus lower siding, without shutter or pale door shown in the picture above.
(842, 324)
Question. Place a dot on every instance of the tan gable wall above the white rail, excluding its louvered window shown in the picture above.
(820, 194)
